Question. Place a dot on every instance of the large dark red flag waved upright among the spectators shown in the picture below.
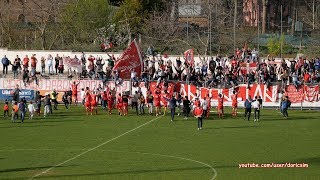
(130, 59)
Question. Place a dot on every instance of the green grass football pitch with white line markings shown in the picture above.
(72, 145)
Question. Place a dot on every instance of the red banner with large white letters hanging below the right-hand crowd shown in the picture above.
(268, 94)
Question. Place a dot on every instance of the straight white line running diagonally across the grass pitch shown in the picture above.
(91, 149)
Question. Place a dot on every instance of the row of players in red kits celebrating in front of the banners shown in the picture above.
(160, 97)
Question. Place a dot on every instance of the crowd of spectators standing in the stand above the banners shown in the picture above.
(244, 66)
